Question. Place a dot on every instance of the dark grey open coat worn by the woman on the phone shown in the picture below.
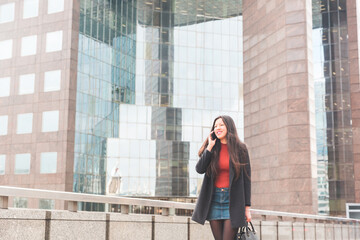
(240, 192)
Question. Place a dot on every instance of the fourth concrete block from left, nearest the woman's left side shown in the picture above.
(174, 228)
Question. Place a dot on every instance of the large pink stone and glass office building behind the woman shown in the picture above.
(116, 97)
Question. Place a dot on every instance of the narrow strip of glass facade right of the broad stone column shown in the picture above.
(333, 109)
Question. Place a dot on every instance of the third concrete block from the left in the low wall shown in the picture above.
(125, 227)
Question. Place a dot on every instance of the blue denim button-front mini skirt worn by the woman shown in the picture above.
(219, 208)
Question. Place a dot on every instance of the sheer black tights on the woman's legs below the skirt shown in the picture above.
(222, 230)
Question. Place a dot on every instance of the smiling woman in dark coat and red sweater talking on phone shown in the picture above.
(224, 198)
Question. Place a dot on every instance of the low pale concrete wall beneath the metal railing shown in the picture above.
(41, 224)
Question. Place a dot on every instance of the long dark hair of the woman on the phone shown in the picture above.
(237, 149)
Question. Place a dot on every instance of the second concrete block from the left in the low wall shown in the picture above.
(77, 225)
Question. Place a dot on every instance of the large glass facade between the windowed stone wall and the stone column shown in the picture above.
(152, 76)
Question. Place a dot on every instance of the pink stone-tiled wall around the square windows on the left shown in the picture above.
(40, 101)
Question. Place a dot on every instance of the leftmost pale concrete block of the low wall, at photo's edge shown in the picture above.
(22, 224)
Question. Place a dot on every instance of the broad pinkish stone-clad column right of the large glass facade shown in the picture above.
(279, 104)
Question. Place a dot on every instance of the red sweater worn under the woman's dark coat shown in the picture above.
(222, 178)
